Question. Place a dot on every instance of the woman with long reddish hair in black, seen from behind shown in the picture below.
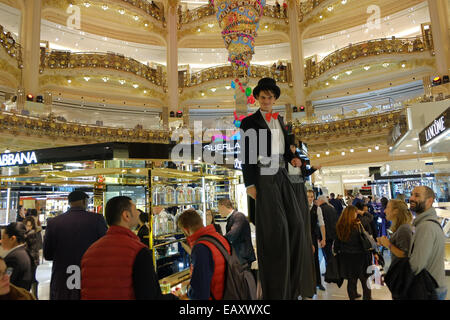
(353, 258)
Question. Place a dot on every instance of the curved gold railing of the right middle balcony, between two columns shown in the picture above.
(366, 49)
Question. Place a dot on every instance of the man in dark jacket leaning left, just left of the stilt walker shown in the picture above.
(238, 232)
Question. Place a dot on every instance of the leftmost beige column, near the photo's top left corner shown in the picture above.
(30, 37)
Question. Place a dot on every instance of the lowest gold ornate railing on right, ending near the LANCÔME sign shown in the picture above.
(351, 127)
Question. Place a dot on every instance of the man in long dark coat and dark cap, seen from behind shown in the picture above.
(67, 238)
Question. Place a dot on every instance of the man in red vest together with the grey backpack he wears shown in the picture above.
(216, 272)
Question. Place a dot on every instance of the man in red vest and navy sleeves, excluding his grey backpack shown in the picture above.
(208, 264)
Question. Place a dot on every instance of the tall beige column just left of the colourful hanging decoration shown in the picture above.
(172, 55)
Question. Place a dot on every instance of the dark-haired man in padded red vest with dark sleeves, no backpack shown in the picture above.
(119, 266)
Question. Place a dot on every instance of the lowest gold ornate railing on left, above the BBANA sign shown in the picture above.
(51, 127)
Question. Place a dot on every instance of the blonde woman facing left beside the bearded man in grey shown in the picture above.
(397, 211)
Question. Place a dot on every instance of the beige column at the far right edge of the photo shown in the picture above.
(439, 29)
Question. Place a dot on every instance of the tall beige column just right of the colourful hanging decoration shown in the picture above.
(298, 68)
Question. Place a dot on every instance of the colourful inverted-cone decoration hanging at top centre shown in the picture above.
(239, 20)
